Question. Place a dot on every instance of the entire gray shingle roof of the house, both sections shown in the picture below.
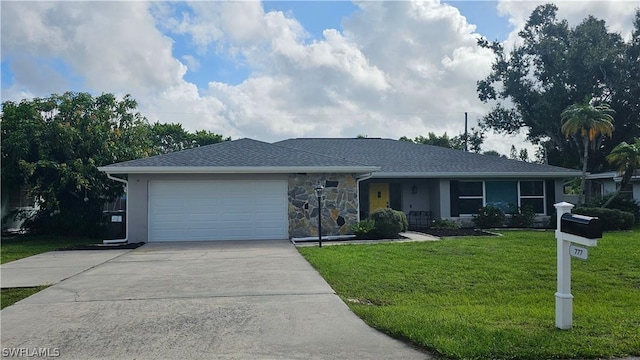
(393, 157)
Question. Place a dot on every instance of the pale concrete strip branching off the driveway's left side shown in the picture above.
(52, 267)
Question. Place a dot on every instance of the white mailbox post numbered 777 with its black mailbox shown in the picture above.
(571, 228)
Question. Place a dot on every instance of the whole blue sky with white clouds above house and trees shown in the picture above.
(276, 69)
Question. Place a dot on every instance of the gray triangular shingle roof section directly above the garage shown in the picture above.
(239, 153)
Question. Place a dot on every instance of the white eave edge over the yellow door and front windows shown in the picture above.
(464, 175)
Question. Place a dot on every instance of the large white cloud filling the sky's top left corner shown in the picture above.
(114, 46)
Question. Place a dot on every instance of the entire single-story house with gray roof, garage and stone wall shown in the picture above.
(248, 189)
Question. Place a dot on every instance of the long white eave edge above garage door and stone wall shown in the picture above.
(235, 169)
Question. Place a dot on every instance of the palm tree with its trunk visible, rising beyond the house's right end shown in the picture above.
(588, 122)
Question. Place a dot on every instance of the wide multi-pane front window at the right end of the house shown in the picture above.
(502, 194)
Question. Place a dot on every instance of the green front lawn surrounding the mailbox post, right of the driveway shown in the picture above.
(492, 297)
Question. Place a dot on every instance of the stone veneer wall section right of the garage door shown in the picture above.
(339, 204)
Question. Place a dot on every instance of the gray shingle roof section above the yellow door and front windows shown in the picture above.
(395, 156)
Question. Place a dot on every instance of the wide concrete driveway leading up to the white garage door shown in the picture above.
(216, 300)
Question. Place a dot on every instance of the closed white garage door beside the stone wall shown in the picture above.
(217, 210)
